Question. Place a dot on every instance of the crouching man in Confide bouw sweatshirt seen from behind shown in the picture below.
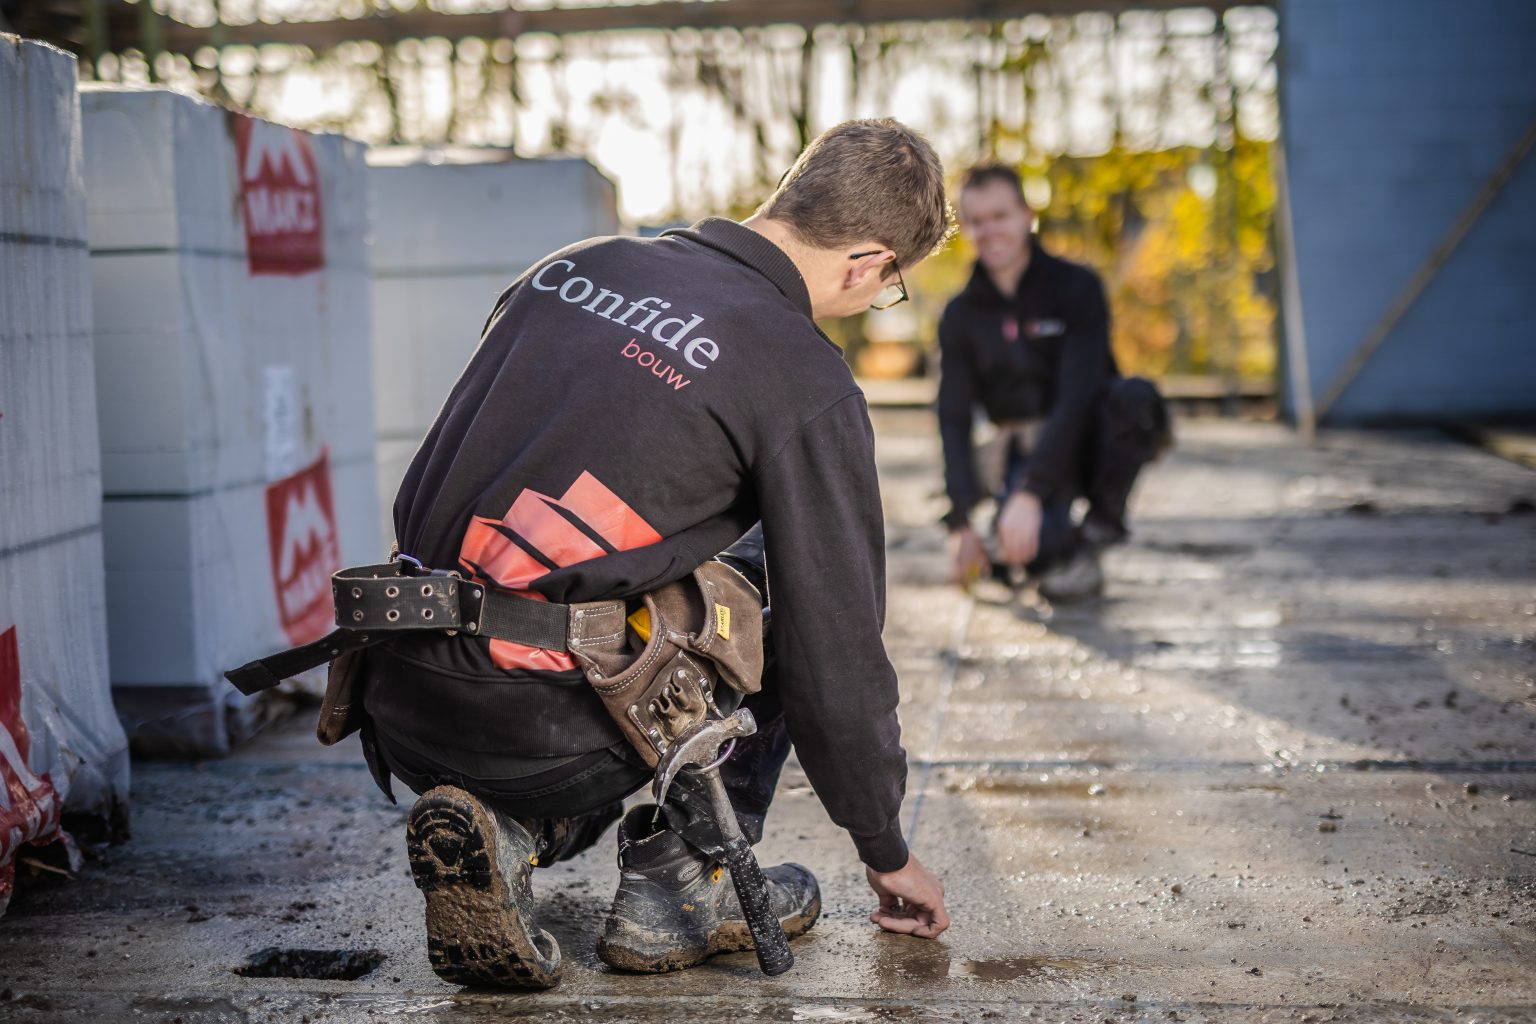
(637, 408)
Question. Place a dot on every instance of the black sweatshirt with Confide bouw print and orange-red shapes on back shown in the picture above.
(634, 408)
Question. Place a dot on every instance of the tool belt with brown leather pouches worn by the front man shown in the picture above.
(706, 629)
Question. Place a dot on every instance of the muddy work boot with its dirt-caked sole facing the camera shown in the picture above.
(474, 864)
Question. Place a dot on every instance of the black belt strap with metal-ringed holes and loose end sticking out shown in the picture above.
(377, 603)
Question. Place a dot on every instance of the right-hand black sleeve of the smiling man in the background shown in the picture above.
(1081, 378)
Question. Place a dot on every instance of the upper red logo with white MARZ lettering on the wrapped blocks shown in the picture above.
(279, 197)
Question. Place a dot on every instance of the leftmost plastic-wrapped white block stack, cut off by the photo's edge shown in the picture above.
(53, 601)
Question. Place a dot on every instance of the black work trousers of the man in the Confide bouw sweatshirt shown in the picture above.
(569, 802)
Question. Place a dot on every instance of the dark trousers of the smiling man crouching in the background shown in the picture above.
(1130, 429)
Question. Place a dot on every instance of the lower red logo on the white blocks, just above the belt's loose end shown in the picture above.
(302, 529)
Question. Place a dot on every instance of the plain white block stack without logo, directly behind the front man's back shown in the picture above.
(448, 239)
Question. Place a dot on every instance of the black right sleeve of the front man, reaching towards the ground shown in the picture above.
(824, 537)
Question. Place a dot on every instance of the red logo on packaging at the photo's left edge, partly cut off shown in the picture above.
(28, 804)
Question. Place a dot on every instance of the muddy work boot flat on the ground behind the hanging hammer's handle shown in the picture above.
(677, 907)
